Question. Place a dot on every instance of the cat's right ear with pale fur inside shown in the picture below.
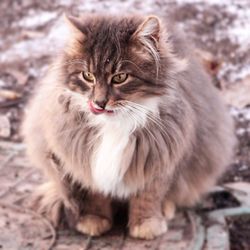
(149, 30)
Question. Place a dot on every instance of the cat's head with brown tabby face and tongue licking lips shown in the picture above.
(116, 65)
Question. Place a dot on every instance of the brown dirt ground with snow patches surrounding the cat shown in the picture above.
(31, 32)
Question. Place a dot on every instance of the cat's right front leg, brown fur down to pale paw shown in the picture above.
(146, 220)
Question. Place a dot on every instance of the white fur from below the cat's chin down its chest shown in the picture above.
(113, 155)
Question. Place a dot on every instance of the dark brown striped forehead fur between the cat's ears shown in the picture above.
(107, 42)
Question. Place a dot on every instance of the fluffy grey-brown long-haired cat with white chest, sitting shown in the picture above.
(126, 112)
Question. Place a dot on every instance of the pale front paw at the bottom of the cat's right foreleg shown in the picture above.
(149, 228)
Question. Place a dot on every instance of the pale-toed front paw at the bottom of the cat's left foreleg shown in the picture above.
(93, 225)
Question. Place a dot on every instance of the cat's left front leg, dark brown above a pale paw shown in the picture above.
(96, 217)
